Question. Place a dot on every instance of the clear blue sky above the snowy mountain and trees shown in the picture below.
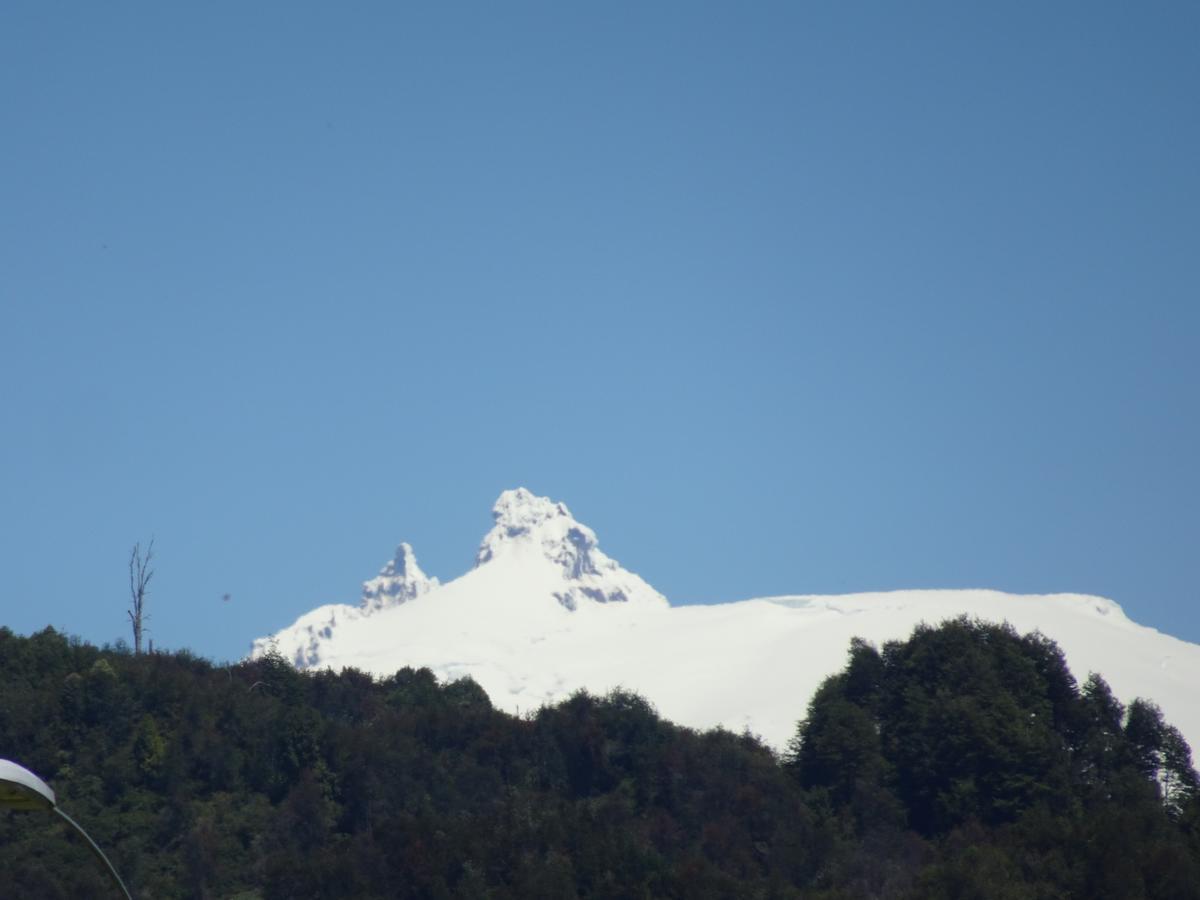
(779, 298)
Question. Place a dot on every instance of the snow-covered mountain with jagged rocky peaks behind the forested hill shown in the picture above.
(545, 613)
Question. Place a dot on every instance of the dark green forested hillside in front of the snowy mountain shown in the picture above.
(964, 763)
